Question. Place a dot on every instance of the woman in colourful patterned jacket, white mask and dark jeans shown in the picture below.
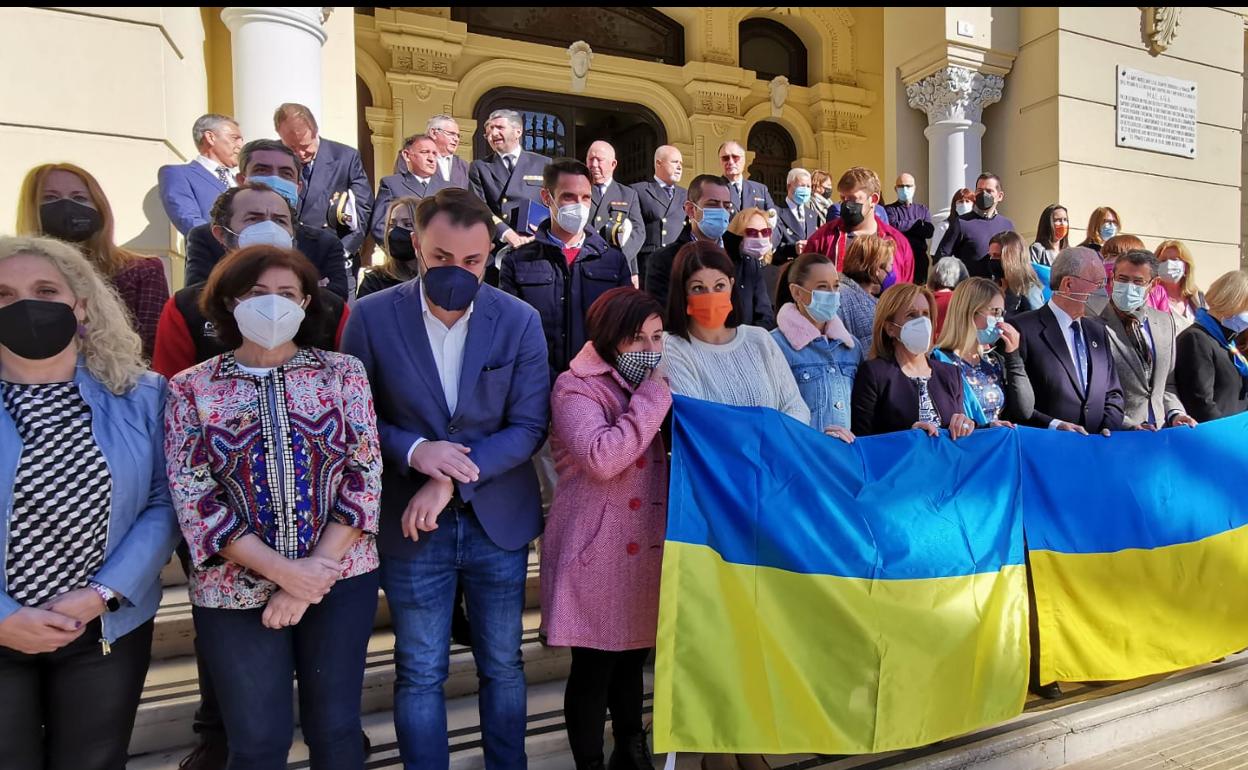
(275, 471)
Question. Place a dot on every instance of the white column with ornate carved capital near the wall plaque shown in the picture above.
(954, 99)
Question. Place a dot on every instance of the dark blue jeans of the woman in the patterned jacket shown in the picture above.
(254, 667)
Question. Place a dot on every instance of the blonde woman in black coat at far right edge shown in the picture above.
(1211, 364)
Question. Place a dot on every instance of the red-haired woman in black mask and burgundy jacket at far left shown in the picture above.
(64, 202)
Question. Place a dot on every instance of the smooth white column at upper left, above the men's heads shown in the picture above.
(276, 58)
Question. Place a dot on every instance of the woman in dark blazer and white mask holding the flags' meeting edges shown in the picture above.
(900, 386)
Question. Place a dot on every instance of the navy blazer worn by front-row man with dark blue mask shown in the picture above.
(504, 411)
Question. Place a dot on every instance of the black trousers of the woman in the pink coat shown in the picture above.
(601, 681)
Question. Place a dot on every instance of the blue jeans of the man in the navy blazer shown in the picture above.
(421, 592)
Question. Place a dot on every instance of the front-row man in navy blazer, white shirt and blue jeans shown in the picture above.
(462, 392)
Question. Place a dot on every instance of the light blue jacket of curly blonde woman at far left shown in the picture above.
(130, 431)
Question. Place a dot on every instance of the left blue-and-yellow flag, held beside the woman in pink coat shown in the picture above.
(836, 600)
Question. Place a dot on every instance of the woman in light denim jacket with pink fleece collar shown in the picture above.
(822, 353)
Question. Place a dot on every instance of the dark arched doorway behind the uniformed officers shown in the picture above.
(558, 125)
